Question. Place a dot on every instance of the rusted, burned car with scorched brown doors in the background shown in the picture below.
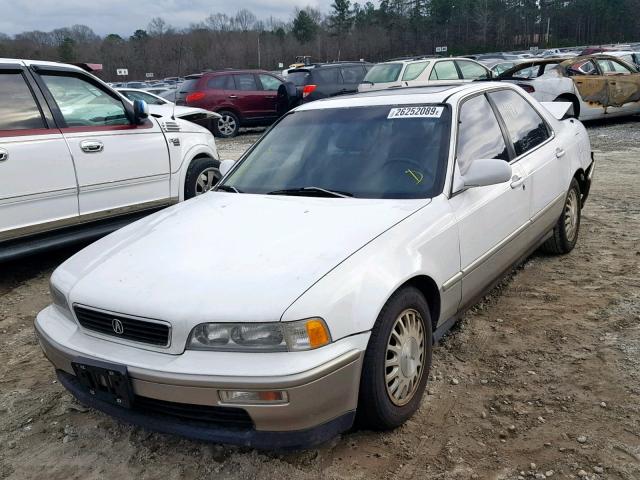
(598, 86)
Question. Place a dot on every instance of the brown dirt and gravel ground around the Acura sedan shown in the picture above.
(540, 380)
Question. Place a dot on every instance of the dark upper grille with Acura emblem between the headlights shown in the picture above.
(128, 328)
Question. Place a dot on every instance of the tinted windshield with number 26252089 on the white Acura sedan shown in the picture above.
(365, 152)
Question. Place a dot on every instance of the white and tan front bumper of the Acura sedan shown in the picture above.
(321, 400)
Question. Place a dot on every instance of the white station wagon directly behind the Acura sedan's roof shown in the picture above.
(421, 72)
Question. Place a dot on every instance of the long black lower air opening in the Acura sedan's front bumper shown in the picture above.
(229, 417)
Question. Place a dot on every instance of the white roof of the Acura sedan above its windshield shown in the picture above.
(401, 96)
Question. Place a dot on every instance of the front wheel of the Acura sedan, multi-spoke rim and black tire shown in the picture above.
(379, 406)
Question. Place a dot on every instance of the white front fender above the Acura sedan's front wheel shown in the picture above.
(350, 297)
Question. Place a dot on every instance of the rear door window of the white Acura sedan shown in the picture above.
(526, 127)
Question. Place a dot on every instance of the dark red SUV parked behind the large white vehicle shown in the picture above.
(243, 98)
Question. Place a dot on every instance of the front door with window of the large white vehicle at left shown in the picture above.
(120, 167)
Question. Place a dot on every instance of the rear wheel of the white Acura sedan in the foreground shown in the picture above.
(565, 232)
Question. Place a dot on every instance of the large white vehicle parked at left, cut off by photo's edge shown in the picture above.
(78, 161)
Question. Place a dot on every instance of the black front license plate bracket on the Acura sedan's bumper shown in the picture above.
(108, 382)
